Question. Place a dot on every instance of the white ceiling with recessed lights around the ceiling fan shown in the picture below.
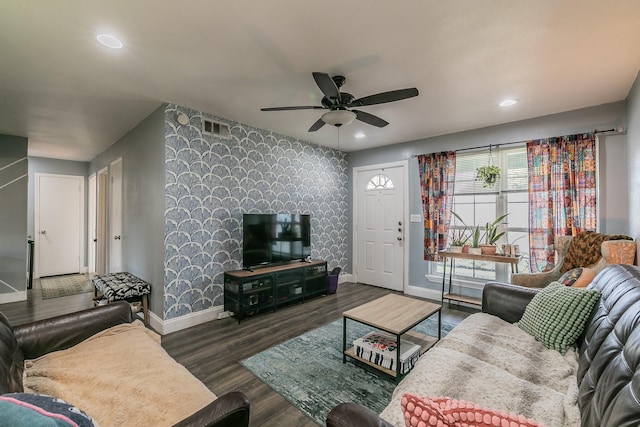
(73, 97)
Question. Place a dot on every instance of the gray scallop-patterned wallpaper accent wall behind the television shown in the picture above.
(211, 182)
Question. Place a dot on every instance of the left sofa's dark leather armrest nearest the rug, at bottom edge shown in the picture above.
(228, 410)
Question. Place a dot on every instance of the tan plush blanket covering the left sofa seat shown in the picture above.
(120, 377)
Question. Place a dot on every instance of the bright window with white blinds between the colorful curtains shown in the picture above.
(477, 205)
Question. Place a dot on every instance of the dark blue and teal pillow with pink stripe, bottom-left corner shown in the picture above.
(27, 409)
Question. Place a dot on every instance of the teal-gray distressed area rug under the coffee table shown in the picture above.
(308, 370)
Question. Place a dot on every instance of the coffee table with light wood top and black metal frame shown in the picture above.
(397, 315)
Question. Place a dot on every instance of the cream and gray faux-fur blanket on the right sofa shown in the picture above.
(496, 365)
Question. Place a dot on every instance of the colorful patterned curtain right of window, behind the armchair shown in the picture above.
(562, 193)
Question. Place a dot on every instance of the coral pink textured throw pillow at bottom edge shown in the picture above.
(448, 412)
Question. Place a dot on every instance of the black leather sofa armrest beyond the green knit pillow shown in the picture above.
(506, 301)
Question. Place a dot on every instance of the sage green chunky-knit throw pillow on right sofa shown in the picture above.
(557, 315)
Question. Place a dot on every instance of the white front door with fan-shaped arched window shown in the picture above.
(379, 228)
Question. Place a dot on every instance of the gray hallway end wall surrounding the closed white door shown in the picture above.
(59, 167)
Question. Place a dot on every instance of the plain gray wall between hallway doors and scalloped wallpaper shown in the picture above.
(142, 151)
